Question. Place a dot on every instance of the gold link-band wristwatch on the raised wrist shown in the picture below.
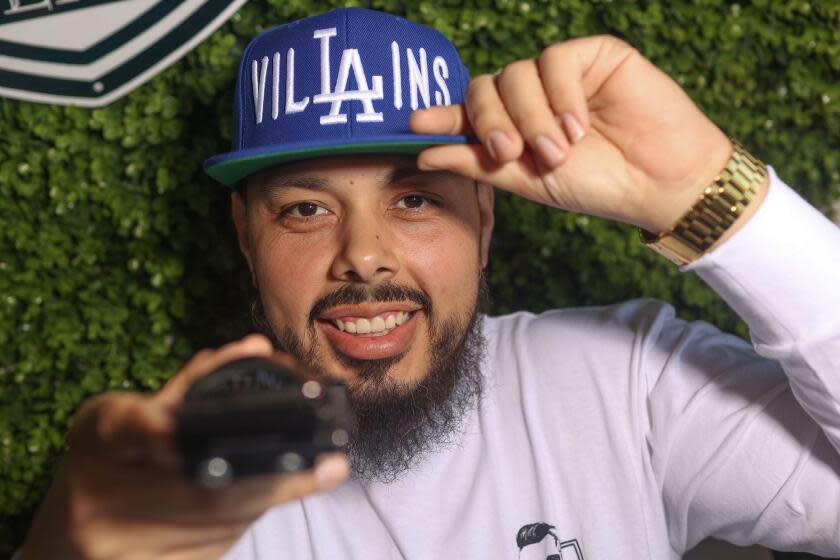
(720, 205)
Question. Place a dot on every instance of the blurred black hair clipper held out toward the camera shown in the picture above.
(254, 416)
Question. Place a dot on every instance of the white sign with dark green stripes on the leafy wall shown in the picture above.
(91, 52)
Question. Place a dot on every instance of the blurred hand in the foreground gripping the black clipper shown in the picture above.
(119, 493)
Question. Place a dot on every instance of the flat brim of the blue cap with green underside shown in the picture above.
(232, 167)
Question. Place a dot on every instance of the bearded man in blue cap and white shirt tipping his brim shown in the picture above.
(618, 432)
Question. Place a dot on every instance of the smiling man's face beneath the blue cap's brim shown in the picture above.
(367, 244)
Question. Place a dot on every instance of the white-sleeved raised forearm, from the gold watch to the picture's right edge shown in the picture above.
(780, 273)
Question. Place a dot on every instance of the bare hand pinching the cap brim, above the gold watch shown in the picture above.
(591, 126)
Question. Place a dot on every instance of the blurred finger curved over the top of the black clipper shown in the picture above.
(204, 362)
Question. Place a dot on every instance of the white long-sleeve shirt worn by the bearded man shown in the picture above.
(631, 433)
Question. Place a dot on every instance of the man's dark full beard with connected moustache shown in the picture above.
(397, 424)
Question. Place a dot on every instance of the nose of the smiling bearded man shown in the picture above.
(366, 252)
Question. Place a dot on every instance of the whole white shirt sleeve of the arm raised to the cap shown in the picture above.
(745, 447)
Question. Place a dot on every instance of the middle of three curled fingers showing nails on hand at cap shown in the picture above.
(521, 90)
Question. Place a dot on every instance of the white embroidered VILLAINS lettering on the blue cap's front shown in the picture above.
(418, 82)
